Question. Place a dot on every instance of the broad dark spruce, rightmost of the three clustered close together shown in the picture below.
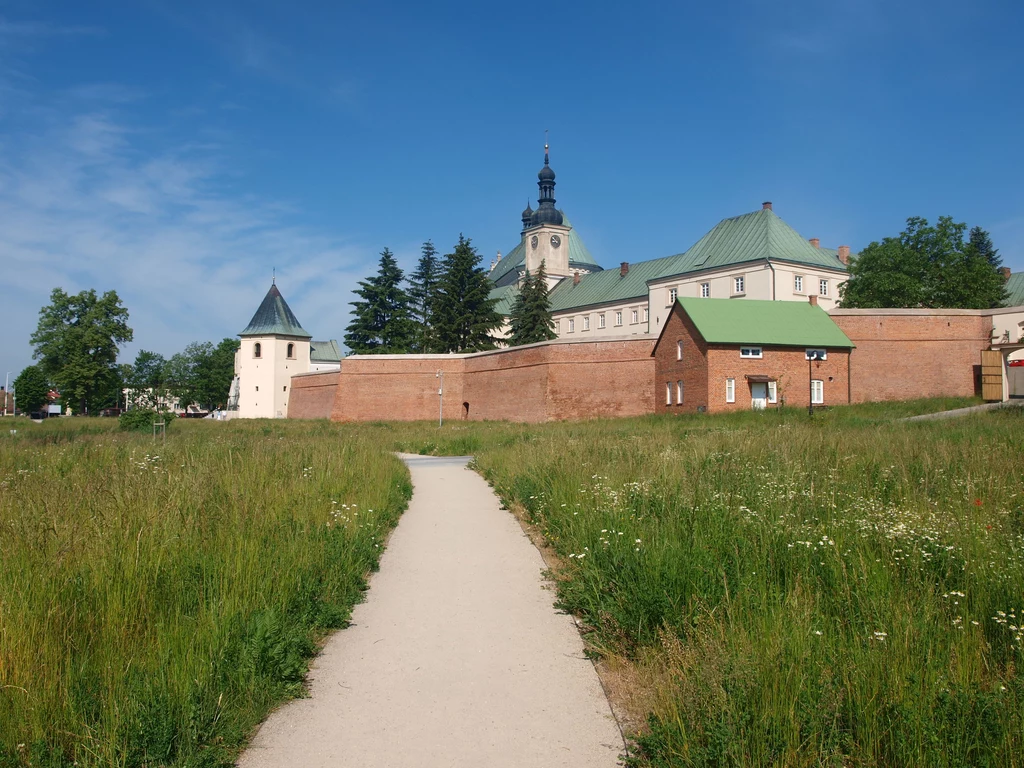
(464, 314)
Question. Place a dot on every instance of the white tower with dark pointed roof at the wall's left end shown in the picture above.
(275, 348)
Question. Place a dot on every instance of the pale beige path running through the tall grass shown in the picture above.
(456, 659)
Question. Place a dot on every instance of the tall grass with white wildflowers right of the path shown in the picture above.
(845, 590)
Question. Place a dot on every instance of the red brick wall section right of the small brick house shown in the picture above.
(909, 354)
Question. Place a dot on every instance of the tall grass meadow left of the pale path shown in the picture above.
(158, 600)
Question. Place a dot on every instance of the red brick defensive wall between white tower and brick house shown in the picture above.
(550, 381)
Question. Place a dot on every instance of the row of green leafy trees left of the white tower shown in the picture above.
(76, 346)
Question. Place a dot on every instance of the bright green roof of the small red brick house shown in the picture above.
(770, 323)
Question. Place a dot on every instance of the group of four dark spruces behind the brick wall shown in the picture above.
(445, 306)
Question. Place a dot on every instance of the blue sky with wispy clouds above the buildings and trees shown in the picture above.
(179, 152)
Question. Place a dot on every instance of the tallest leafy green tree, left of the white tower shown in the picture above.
(77, 342)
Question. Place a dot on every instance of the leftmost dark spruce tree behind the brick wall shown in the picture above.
(381, 322)
